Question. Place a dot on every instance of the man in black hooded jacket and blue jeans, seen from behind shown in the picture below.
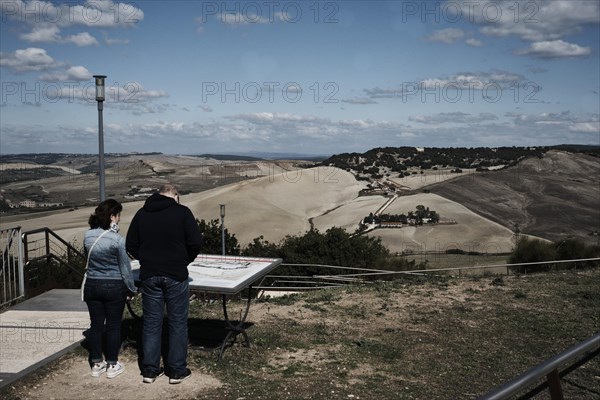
(165, 238)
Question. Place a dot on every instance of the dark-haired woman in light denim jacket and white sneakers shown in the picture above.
(108, 284)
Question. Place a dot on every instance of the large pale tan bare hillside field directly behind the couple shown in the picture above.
(277, 204)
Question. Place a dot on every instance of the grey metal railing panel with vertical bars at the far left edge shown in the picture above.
(12, 281)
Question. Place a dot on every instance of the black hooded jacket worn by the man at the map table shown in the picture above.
(164, 237)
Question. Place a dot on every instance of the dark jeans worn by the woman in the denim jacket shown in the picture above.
(105, 299)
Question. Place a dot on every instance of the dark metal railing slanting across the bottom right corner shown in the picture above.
(549, 369)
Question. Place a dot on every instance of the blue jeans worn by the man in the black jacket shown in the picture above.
(156, 292)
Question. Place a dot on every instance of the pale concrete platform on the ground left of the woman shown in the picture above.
(40, 330)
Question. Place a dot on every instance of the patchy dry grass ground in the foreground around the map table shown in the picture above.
(415, 338)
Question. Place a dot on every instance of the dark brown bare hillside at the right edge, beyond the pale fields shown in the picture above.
(553, 197)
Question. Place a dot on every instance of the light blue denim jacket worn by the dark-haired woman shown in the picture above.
(108, 259)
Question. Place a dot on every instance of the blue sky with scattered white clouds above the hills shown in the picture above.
(309, 77)
